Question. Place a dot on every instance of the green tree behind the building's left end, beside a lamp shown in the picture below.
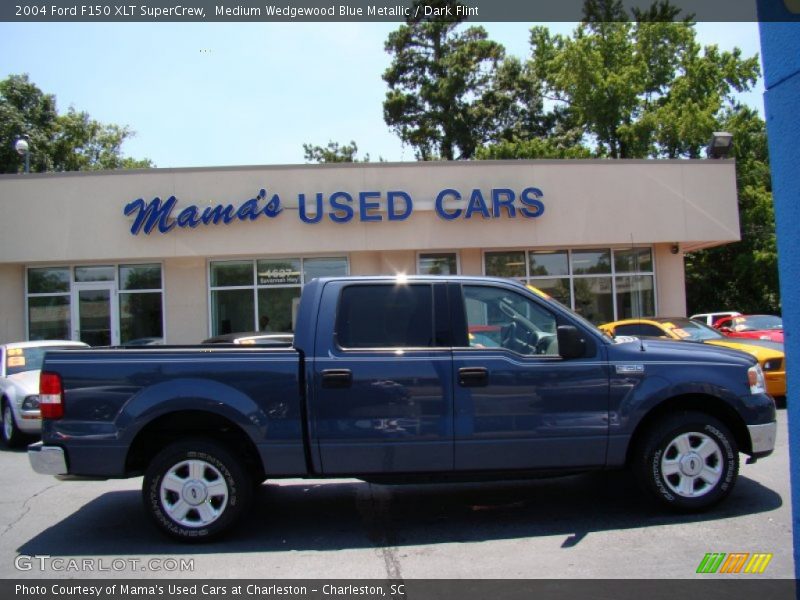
(69, 142)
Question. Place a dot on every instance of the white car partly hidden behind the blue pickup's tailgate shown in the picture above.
(20, 363)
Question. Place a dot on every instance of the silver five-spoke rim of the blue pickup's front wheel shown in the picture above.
(692, 464)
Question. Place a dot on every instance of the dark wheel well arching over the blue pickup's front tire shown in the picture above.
(710, 405)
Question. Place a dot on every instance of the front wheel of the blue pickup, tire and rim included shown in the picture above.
(688, 461)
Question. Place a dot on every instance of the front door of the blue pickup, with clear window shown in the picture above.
(518, 404)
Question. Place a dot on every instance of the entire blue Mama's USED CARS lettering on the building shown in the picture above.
(339, 207)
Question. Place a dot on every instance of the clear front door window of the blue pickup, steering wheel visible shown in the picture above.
(498, 318)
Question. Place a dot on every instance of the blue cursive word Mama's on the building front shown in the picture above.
(157, 214)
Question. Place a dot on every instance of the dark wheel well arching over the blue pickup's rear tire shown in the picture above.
(190, 423)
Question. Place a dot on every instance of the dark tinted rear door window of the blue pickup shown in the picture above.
(385, 316)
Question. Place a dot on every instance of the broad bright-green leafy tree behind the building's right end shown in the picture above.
(641, 88)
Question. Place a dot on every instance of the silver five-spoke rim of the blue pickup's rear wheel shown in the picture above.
(194, 493)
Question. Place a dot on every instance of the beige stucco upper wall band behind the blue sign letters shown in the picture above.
(586, 203)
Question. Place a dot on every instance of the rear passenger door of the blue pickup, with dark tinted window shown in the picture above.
(382, 395)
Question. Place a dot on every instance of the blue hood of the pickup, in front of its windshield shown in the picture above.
(652, 349)
